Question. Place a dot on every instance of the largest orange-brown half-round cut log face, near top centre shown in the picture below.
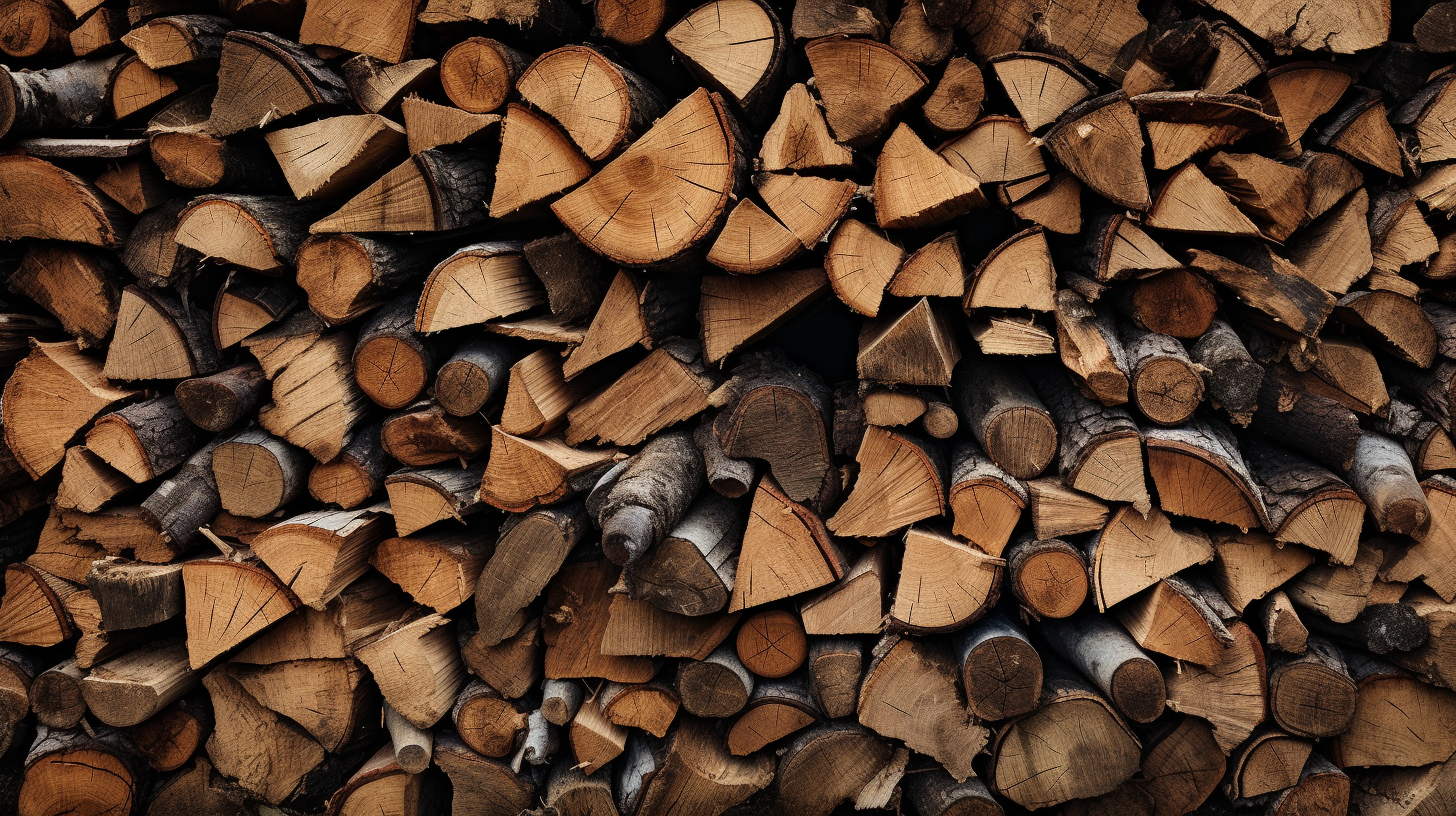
(615, 212)
